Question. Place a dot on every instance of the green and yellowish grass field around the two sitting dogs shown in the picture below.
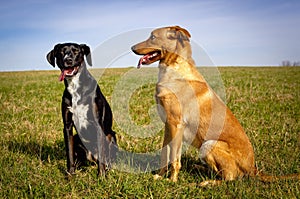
(32, 162)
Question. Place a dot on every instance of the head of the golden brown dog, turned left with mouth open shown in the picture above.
(162, 43)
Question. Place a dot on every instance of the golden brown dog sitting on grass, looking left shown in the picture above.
(192, 111)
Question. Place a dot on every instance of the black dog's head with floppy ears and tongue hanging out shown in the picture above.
(69, 58)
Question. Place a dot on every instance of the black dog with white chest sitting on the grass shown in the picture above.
(85, 108)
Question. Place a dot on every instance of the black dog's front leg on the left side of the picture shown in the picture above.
(68, 134)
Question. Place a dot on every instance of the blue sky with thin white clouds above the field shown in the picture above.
(238, 33)
